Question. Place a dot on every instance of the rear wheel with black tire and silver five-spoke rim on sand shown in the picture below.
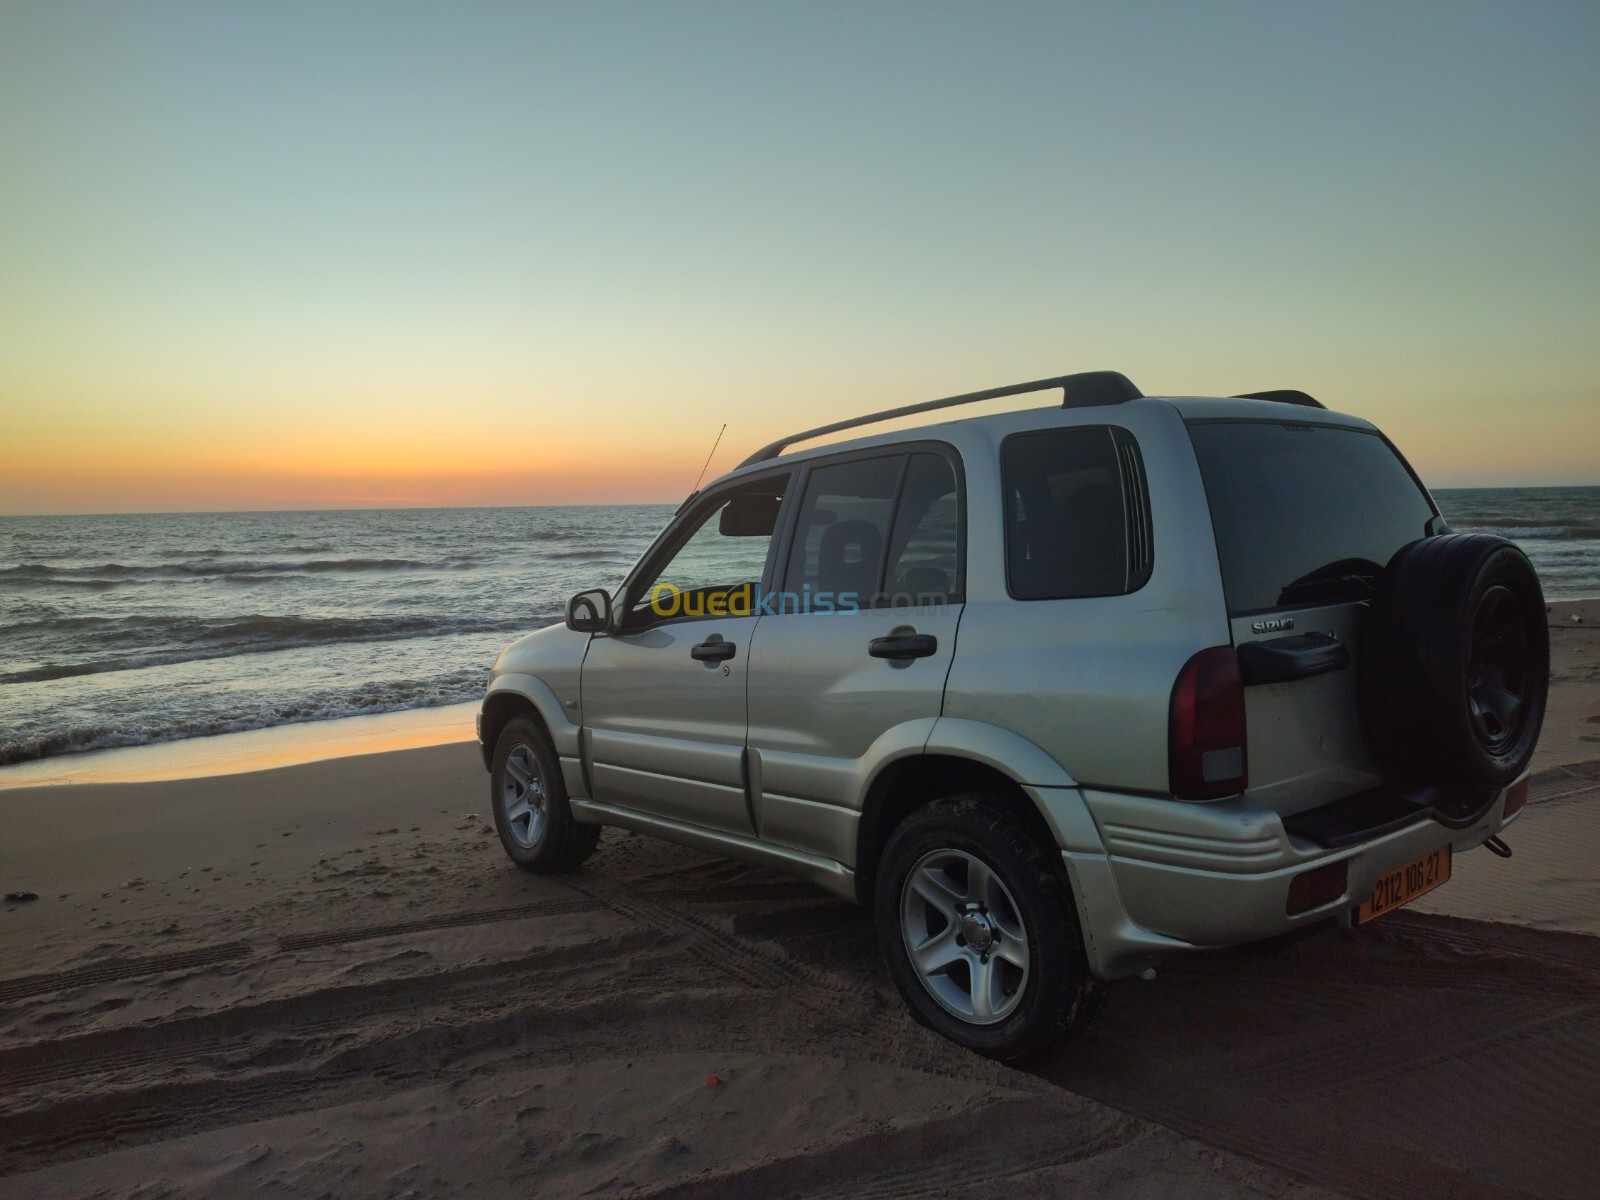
(1049, 1001)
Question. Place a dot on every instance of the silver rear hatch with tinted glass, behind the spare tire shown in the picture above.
(1306, 516)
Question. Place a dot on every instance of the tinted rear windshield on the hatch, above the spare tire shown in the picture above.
(1305, 514)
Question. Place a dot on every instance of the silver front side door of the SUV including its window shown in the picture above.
(665, 695)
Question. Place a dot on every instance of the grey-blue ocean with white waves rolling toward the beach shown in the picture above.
(124, 631)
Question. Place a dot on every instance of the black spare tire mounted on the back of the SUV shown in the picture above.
(1455, 668)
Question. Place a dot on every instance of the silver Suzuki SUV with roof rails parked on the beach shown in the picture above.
(1057, 692)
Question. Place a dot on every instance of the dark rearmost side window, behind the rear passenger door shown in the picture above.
(1078, 514)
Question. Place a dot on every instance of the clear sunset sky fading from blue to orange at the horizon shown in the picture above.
(330, 255)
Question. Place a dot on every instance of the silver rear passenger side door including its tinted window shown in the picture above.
(858, 639)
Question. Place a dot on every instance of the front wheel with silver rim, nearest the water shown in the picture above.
(529, 798)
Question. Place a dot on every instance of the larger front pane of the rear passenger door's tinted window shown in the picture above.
(844, 529)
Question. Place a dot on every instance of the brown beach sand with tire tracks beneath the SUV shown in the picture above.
(327, 980)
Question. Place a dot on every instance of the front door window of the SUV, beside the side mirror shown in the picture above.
(719, 562)
